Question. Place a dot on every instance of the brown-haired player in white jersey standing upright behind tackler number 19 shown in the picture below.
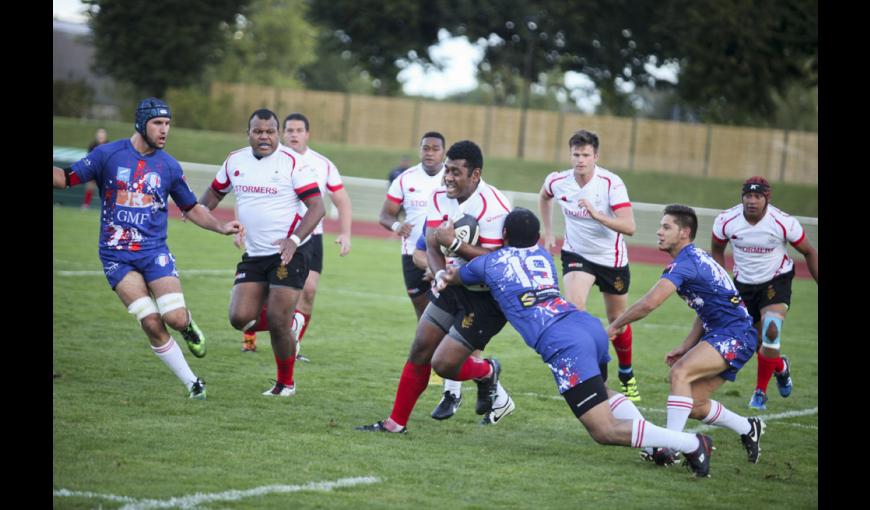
(598, 216)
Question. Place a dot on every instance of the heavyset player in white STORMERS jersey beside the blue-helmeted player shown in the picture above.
(271, 186)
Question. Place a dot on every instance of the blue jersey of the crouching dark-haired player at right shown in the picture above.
(708, 290)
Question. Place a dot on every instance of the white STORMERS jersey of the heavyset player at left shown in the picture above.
(267, 195)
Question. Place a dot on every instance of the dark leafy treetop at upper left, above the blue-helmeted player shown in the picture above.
(161, 43)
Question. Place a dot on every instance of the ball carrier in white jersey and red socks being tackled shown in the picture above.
(458, 320)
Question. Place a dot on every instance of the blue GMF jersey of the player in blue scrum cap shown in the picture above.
(135, 190)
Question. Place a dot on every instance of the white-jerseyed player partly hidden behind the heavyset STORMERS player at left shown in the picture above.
(295, 135)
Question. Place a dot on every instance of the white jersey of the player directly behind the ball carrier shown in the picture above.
(412, 189)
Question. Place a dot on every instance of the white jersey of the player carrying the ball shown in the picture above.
(487, 204)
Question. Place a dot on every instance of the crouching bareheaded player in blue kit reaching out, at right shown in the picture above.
(722, 338)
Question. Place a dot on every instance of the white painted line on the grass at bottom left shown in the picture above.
(194, 500)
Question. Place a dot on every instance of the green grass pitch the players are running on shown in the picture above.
(123, 426)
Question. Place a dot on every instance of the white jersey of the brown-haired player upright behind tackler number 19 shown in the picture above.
(583, 235)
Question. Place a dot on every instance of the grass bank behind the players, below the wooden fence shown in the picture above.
(212, 147)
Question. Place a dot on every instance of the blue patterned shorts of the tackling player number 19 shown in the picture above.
(574, 347)
